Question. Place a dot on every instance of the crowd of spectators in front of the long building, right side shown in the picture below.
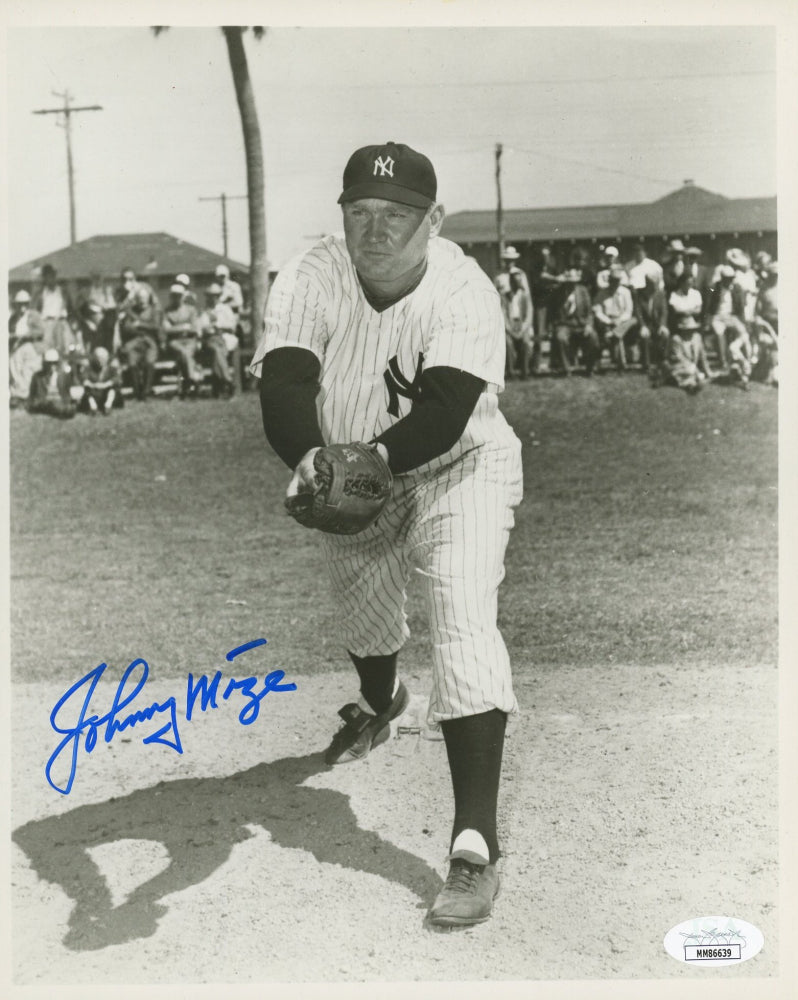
(681, 321)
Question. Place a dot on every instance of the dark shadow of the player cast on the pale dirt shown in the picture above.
(198, 820)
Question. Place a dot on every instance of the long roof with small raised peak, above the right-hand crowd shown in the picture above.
(688, 210)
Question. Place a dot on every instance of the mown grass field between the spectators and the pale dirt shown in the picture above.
(648, 535)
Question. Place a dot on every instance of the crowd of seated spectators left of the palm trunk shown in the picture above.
(67, 356)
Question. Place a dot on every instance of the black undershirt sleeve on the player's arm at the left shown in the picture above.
(289, 384)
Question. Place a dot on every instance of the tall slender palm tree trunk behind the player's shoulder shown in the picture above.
(253, 148)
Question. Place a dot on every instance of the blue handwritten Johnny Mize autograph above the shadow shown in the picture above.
(135, 677)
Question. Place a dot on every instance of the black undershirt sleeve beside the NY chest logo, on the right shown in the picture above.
(437, 418)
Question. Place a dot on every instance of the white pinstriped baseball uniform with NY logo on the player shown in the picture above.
(448, 519)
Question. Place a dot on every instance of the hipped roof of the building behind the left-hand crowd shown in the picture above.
(149, 254)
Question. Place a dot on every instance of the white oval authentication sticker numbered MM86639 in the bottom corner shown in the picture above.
(713, 941)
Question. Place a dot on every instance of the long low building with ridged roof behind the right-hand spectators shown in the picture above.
(699, 217)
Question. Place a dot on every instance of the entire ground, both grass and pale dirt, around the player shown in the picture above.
(640, 776)
